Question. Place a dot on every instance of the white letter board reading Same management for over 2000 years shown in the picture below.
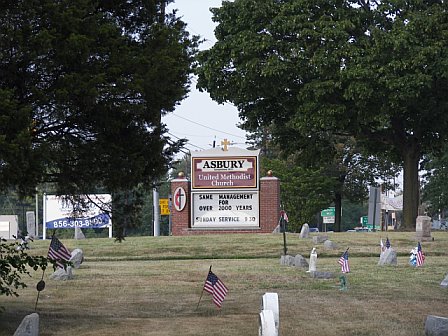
(225, 210)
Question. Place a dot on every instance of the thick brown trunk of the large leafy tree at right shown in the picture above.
(411, 187)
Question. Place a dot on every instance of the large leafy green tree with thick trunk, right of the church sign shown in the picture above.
(369, 69)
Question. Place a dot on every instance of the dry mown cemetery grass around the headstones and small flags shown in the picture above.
(152, 285)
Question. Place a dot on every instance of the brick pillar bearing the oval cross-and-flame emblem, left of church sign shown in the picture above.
(180, 220)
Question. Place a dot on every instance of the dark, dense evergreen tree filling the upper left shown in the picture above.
(83, 86)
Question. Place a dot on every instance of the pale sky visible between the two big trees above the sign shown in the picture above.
(198, 118)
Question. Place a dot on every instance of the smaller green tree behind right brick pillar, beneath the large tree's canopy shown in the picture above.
(326, 171)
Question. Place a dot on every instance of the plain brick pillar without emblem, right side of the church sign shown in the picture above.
(269, 203)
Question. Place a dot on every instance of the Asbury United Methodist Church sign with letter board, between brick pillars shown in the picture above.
(224, 189)
